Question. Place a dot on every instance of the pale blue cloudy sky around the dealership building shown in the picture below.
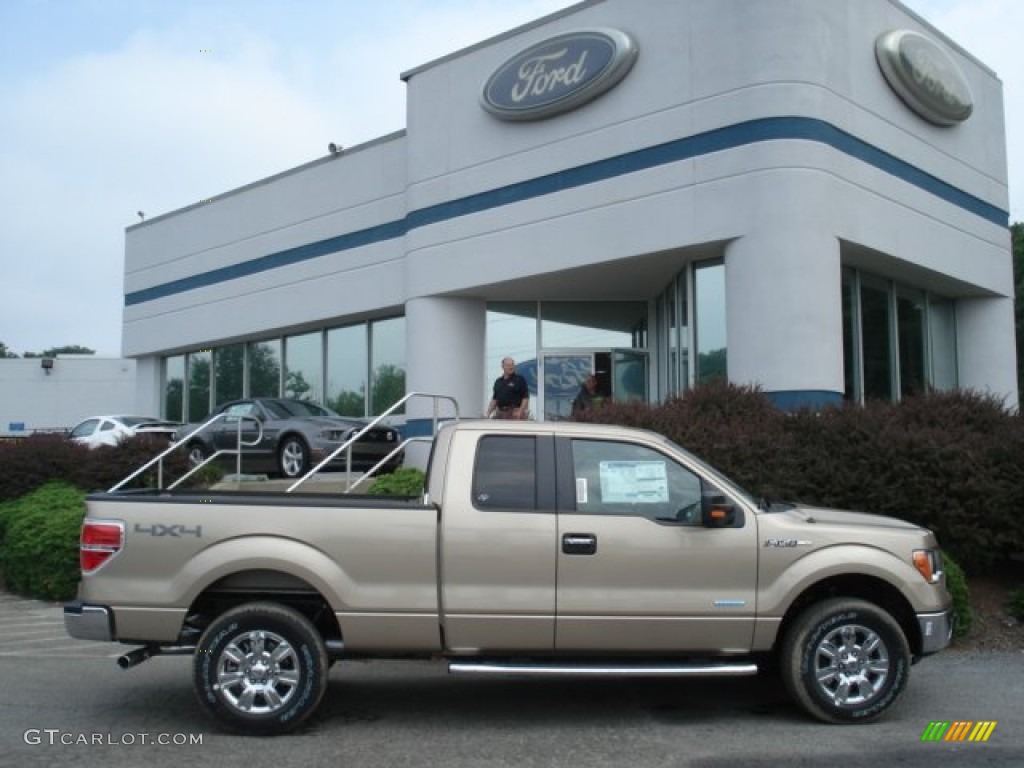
(113, 107)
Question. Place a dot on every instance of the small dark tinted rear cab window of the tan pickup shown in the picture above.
(505, 474)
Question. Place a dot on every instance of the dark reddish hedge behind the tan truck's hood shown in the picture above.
(951, 462)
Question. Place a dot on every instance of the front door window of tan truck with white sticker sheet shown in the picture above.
(623, 479)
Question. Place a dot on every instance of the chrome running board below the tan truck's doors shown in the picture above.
(602, 670)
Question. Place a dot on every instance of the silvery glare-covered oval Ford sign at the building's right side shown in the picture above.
(924, 76)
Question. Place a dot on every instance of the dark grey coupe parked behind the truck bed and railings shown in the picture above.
(296, 436)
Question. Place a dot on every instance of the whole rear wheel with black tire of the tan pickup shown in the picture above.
(261, 669)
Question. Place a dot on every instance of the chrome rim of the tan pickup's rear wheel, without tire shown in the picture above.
(259, 673)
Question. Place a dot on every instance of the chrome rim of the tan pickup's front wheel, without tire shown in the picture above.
(851, 665)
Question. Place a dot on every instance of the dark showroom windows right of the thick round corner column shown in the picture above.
(898, 340)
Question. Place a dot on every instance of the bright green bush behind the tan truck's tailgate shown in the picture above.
(39, 545)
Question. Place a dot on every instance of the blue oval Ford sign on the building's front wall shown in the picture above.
(560, 74)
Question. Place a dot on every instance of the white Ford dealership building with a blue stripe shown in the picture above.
(806, 196)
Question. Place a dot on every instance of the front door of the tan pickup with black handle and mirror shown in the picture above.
(637, 570)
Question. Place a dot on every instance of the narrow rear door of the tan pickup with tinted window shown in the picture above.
(498, 552)
